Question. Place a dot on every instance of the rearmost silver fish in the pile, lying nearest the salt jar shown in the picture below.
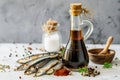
(32, 57)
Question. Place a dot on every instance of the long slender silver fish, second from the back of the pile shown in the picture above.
(26, 65)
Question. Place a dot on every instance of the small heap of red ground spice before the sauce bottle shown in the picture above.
(62, 72)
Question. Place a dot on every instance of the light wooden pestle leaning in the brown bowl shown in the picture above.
(105, 50)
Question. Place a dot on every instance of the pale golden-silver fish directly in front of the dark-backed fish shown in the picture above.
(43, 70)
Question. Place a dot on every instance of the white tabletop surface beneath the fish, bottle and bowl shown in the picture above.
(6, 49)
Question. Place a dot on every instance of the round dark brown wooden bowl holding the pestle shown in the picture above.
(101, 59)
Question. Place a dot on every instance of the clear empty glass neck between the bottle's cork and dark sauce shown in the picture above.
(76, 21)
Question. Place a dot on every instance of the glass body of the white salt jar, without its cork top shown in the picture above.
(52, 41)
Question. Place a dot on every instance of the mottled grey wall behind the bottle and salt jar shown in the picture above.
(21, 20)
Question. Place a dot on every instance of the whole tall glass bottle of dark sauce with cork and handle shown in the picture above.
(75, 54)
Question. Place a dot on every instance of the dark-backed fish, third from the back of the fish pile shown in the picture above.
(33, 68)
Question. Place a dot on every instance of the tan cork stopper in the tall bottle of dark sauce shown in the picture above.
(76, 9)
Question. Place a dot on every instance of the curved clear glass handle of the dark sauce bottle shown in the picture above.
(90, 28)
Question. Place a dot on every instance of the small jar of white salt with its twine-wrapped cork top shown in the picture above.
(51, 36)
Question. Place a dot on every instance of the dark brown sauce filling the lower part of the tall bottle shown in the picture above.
(75, 55)
